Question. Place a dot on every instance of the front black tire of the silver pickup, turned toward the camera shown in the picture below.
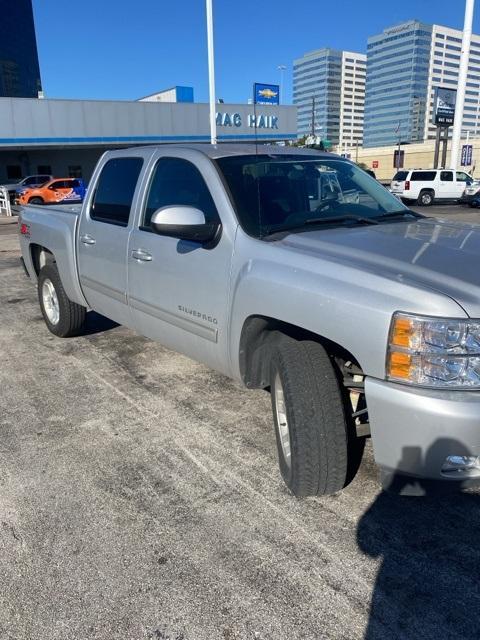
(317, 427)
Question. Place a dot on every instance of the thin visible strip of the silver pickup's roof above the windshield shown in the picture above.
(243, 149)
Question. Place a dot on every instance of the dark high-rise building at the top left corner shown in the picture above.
(19, 69)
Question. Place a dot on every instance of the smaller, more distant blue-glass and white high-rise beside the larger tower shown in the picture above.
(329, 91)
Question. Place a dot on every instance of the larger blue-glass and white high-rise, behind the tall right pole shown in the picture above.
(404, 65)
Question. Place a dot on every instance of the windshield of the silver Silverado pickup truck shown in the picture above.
(276, 193)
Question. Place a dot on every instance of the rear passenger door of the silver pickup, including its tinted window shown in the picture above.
(102, 240)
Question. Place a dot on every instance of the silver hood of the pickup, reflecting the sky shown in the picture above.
(430, 253)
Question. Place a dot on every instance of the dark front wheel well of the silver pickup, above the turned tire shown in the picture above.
(257, 342)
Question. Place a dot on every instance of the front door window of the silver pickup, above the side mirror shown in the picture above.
(178, 182)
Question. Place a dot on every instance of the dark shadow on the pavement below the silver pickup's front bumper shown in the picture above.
(427, 585)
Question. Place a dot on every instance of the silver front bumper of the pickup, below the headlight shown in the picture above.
(415, 429)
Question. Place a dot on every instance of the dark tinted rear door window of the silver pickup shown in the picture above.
(114, 191)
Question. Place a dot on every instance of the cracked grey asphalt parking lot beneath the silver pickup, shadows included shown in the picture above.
(140, 498)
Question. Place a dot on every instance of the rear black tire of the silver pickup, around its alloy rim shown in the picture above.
(71, 315)
